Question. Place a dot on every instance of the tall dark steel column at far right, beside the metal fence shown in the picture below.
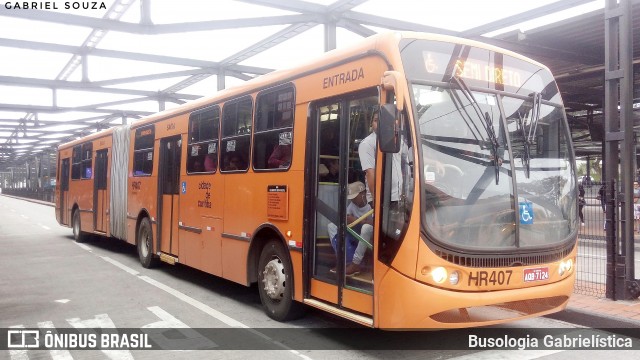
(619, 145)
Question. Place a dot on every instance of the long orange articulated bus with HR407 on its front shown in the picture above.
(460, 210)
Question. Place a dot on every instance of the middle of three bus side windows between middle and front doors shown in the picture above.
(236, 135)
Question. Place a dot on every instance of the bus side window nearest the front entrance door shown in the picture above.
(274, 125)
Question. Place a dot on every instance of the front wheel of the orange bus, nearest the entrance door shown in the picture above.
(275, 283)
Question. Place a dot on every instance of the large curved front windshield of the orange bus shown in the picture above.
(496, 161)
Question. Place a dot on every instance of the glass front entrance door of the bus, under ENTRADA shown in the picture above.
(341, 257)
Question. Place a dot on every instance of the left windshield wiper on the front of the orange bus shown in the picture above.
(486, 122)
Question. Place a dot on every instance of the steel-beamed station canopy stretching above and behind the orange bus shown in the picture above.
(70, 68)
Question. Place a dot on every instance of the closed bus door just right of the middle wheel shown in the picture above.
(169, 194)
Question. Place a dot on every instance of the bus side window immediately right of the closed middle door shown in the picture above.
(202, 154)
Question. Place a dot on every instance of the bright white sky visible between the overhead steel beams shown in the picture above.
(455, 15)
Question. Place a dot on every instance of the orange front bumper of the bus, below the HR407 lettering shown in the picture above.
(404, 303)
